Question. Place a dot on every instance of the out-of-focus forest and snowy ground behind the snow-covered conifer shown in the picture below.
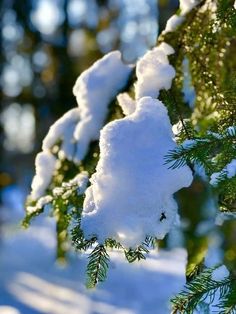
(44, 46)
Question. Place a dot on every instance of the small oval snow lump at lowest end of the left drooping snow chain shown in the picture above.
(45, 164)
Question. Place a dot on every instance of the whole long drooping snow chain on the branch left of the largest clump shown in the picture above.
(94, 90)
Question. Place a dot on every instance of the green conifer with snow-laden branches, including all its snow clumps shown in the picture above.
(187, 81)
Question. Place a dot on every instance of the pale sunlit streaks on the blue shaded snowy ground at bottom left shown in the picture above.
(50, 298)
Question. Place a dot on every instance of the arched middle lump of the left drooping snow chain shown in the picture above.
(62, 130)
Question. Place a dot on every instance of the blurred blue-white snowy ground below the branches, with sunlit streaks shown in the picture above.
(31, 283)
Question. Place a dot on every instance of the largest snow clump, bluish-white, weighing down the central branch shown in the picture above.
(132, 188)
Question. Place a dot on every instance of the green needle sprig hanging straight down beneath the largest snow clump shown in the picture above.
(97, 266)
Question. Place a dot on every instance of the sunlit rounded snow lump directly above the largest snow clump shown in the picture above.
(154, 72)
